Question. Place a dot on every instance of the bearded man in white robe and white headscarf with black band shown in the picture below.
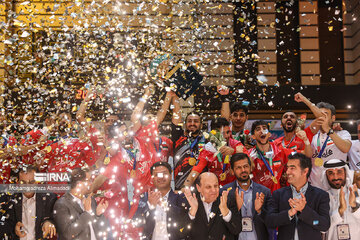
(344, 209)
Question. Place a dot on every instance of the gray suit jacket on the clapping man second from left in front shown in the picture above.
(72, 222)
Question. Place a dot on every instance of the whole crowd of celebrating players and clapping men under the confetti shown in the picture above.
(129, 182)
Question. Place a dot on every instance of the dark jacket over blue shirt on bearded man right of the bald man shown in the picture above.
(258, 219)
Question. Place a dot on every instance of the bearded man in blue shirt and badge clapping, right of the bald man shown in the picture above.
(251, 199)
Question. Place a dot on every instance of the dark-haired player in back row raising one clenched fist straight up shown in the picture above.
(237, 113)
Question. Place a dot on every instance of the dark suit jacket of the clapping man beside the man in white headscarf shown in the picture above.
(313, 219)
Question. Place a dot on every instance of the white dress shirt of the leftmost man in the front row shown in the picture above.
(29, 217)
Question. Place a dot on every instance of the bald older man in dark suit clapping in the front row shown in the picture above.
(211, 217)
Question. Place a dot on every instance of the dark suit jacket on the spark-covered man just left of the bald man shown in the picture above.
(177, 216)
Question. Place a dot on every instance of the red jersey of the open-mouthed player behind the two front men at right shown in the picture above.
(277, 160)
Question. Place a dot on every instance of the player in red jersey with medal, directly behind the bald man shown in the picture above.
(218, 164)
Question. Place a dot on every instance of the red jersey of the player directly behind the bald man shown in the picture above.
(220, 168)
